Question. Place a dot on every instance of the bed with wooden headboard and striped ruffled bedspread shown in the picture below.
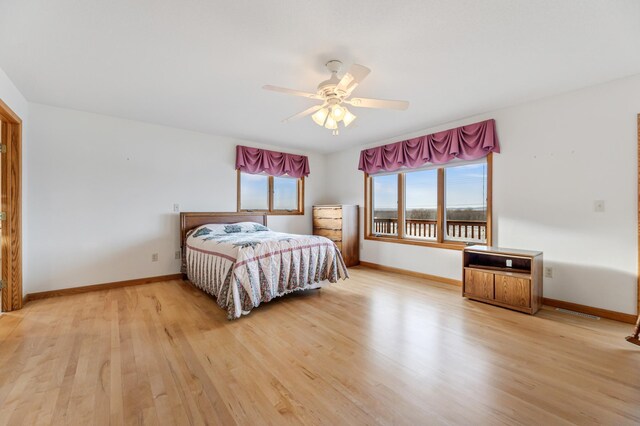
(237, 259)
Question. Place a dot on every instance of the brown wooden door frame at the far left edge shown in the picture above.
(11, 203)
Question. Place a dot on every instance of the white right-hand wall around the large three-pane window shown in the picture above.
(558, 156)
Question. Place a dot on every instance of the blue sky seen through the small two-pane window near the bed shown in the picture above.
(255, 189)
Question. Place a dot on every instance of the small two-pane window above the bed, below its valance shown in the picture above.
(271, 194)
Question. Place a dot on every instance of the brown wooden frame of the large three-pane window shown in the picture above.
(440, 241)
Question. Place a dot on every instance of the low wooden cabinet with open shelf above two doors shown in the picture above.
(504, 277)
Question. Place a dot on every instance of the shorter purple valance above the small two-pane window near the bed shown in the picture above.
(255, 160)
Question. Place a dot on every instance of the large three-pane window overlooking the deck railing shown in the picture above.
(447, 206)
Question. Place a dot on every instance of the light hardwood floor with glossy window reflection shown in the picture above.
(380, 348)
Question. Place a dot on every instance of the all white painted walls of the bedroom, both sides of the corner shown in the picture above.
(101, 192)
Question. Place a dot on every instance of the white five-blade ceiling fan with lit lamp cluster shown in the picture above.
(335, 94)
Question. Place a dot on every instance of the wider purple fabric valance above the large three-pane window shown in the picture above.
(468, 142)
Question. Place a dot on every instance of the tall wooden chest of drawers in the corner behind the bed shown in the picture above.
(339, 223)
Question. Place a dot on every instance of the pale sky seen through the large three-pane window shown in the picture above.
(465, 187)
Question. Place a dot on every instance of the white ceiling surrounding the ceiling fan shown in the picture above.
(200, 65)
